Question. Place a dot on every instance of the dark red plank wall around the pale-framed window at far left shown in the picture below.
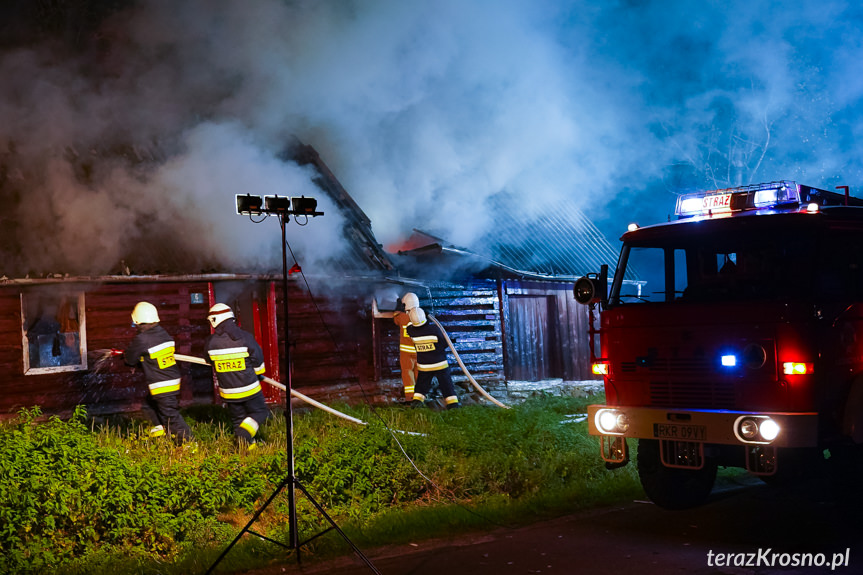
(115, 387)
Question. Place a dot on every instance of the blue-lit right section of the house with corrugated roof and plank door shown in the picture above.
(509, 298)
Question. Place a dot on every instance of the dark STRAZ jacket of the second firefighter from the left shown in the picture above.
(237, 359)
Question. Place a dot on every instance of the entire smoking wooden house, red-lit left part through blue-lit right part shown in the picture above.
(507, 306)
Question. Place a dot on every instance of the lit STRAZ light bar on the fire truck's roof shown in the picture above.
(760, 196)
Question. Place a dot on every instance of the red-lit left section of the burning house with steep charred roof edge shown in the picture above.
(53, 328)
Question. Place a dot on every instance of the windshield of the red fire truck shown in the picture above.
(717, 269)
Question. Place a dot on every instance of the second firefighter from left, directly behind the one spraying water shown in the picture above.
(239, 364)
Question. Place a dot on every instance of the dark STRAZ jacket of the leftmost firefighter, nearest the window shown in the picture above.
(153, 349)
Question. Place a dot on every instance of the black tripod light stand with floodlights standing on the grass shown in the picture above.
(281, 206)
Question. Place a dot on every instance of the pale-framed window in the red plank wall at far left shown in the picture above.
(53, 330)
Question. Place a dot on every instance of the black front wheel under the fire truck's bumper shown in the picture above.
(672, 488)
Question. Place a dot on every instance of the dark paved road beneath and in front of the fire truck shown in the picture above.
(754, 524)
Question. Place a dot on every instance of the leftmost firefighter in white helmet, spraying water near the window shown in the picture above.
(153, 349)
